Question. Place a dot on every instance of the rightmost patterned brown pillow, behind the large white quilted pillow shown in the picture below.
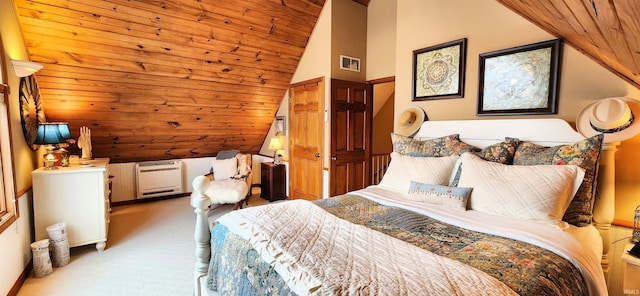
(585, 154)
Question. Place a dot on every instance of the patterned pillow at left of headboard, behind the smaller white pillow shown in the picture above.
(444, 146)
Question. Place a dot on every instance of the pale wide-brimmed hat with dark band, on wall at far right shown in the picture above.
(617, 118)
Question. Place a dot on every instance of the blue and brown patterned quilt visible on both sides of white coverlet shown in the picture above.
(237, 269)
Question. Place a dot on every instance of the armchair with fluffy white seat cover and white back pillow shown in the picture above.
(229, 182)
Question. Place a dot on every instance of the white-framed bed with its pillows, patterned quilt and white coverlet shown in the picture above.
(486, 207)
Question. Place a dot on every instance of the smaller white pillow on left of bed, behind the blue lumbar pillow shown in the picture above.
(404, 169)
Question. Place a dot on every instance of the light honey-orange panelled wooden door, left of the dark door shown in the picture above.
(306, 142)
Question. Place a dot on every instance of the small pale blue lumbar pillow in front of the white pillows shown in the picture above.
(453, 197)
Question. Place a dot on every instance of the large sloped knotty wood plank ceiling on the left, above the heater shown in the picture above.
(166, 79)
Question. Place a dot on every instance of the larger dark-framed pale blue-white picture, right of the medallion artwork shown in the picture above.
(520, 80)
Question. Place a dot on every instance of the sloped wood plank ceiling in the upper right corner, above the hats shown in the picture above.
(606, 30)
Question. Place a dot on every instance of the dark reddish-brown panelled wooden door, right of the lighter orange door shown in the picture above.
(351, 117)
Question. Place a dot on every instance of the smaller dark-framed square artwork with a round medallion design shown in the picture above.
(438, 71)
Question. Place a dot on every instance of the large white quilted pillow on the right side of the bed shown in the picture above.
(538, 193)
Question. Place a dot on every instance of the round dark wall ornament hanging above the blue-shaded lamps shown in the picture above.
(31, 111)
